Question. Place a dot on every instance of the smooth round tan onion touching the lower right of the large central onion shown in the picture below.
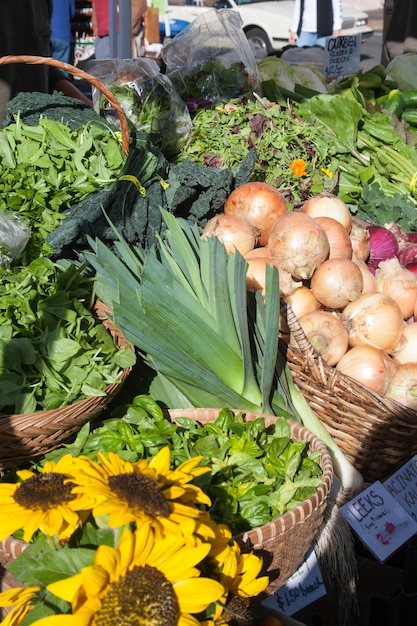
(336, 282)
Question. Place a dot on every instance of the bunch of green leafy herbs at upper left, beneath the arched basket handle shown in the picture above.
(45, 168)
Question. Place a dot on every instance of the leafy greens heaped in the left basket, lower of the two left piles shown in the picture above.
(53, 350)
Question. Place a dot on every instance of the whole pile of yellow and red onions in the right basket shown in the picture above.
(351, 285)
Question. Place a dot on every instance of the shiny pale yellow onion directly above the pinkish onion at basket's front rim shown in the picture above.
(374, 319)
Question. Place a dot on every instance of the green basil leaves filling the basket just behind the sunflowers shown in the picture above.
(257, 473)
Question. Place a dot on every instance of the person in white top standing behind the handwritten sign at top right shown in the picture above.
(314, 20)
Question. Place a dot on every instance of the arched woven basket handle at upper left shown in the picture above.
(75, 71)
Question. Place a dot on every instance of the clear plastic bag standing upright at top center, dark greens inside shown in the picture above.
(211, 59)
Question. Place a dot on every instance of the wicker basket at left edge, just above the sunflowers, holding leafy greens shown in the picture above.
(29, 435)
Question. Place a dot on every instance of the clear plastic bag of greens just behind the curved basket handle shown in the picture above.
(148, 98)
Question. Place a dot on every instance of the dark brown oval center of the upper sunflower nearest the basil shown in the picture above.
(140, 492)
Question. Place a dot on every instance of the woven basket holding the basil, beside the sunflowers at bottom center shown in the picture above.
(284, 542)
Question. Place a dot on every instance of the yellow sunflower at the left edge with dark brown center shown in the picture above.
(43, 501)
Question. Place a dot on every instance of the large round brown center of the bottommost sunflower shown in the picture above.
(142, 597)
